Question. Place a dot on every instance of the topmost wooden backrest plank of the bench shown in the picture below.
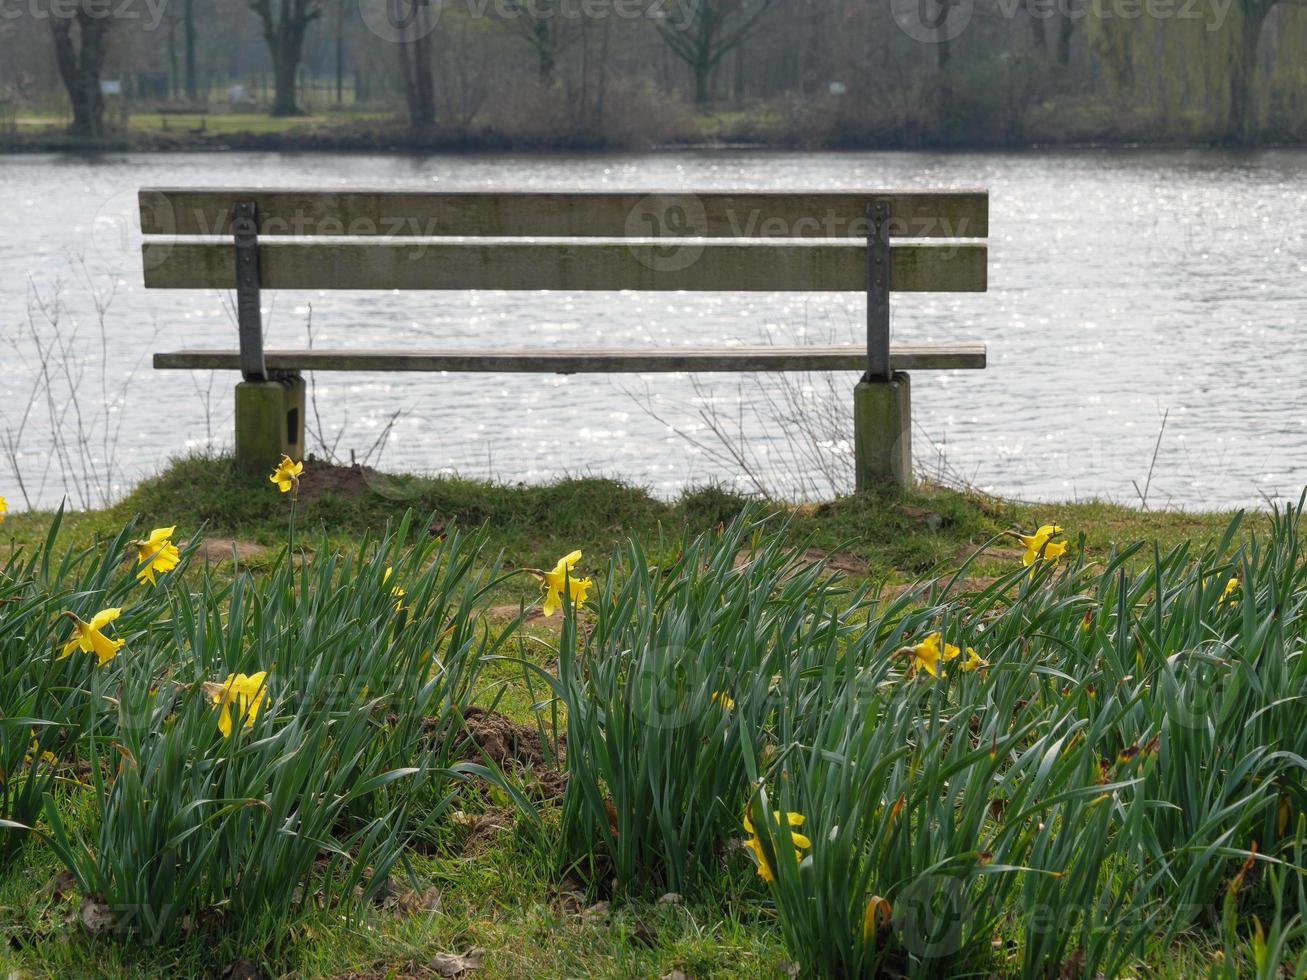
(565, 215)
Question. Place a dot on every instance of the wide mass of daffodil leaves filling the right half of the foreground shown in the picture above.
(1097, 753)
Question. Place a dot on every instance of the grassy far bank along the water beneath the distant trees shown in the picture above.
(767, 127)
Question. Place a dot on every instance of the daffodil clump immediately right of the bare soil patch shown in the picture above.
(680, 661)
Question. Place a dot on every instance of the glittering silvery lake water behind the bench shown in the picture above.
(1144, 316)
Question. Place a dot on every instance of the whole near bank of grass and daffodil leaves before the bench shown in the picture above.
(1080, 647)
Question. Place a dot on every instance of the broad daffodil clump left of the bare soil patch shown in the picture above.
(325, 776)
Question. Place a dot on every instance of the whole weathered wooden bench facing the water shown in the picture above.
(253, 240)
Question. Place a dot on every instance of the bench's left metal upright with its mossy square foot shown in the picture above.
(270, 410)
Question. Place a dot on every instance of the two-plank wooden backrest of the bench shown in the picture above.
(371, 240)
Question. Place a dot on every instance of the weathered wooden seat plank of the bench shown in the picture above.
(594, 361)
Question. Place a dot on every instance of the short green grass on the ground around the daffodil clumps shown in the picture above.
(496, 889)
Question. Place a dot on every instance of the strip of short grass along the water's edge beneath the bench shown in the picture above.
(891, 536)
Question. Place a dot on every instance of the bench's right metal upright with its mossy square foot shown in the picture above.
(883, 412)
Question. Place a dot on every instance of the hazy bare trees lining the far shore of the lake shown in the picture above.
(642, 73)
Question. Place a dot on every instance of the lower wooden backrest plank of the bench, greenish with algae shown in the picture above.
(567, 266)
